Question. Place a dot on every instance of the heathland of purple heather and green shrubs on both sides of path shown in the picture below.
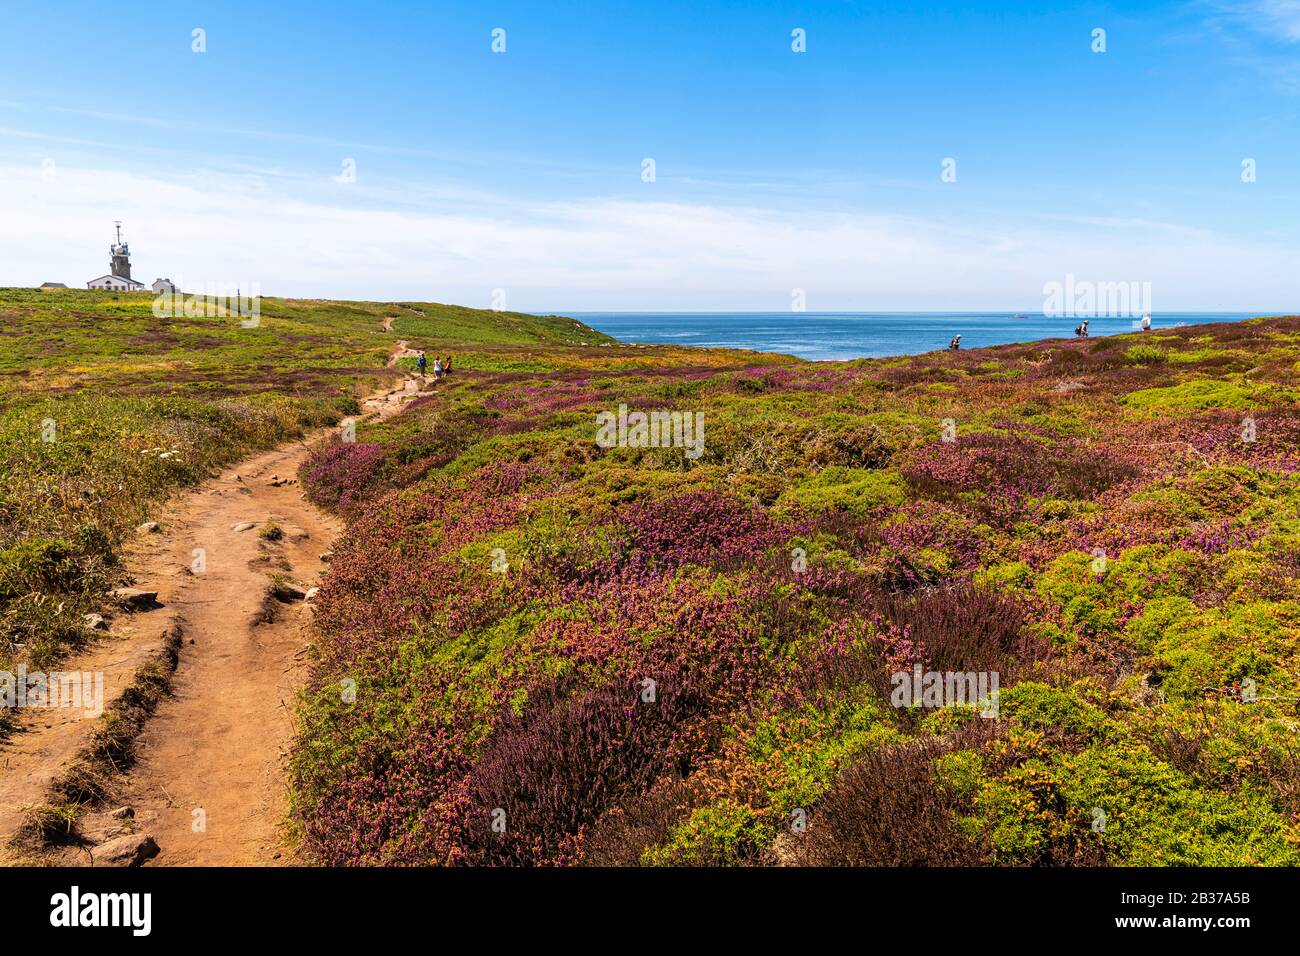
(532, 647)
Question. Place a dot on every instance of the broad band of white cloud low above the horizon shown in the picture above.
(318, 239)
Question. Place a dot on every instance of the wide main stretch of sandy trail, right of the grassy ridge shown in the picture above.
(209, 781)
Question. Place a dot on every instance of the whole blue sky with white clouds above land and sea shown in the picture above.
(774, 170)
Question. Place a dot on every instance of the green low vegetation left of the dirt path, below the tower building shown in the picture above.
(106, 410)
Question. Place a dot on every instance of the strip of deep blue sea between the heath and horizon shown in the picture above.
(864, 335)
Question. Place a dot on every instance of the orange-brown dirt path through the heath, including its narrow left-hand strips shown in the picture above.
(209, 782)
